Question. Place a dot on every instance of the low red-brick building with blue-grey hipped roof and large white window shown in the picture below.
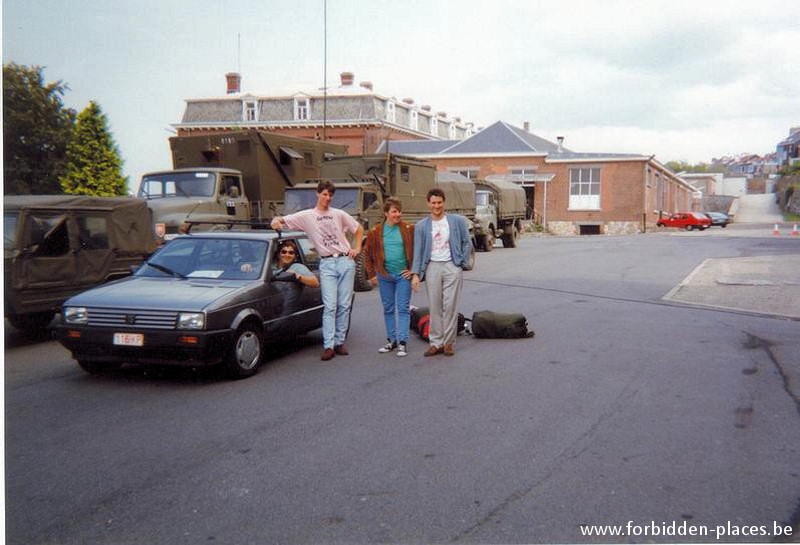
(568, 192)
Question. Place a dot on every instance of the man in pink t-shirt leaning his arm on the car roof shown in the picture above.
(326, 227)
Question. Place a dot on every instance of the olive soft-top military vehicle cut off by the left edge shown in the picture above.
(56, 246)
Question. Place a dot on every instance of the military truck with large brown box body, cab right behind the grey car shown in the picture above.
(231, 175)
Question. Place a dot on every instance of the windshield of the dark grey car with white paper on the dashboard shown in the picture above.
(220, 258)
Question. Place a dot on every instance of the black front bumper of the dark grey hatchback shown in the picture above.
(186, 348)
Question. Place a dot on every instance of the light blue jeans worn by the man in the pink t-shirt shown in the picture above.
(336, 280)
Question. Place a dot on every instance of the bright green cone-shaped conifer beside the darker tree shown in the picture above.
(94, 166)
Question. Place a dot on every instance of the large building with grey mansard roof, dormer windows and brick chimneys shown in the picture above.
(350, 114)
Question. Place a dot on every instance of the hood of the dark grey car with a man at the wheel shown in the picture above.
(157, 293)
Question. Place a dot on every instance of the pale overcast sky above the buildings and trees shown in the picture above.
(681, 80)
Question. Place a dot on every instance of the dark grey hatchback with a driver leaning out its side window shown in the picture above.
(193, 304)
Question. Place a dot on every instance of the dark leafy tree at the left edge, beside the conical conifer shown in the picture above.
(36, 131)
